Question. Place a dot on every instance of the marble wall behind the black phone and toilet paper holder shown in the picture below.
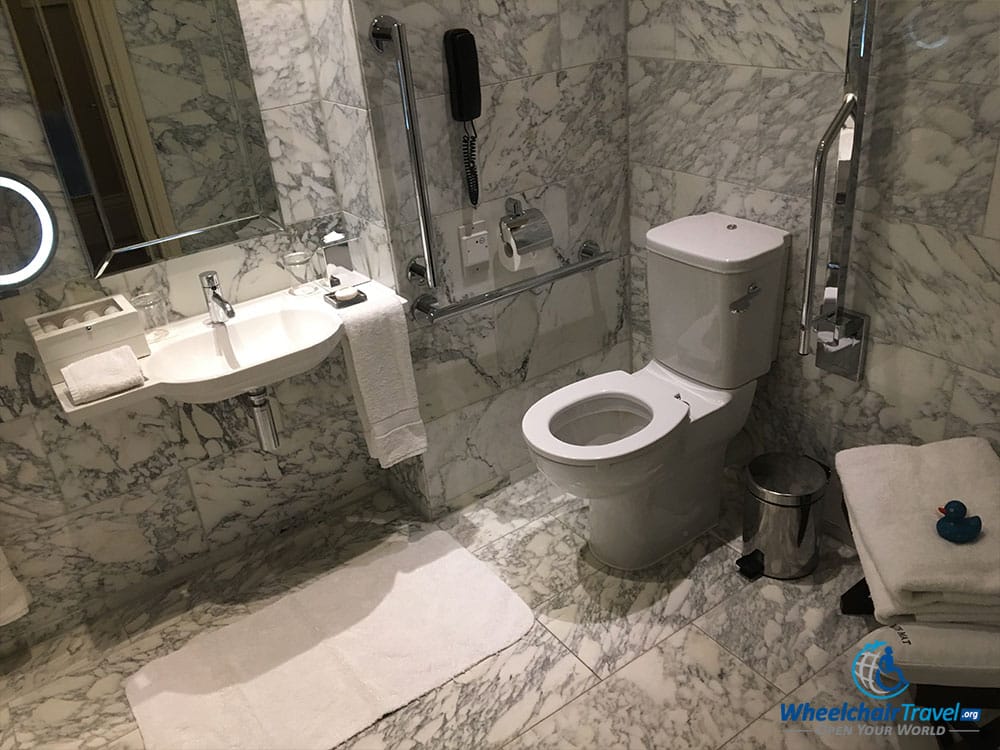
(553, 135)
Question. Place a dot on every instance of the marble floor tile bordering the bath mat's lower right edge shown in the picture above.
(488, 705)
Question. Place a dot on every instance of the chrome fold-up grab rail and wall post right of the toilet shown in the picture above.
(841, 333)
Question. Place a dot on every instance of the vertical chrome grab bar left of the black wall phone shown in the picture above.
(387, 30)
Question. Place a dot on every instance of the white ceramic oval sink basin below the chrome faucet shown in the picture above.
(269, 339)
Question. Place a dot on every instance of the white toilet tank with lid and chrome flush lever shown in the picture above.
(716, 286)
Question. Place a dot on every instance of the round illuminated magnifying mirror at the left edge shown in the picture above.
(27, 232)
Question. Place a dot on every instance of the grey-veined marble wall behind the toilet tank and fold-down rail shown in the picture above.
(726, 104)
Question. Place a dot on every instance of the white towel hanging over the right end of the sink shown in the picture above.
(380, 370)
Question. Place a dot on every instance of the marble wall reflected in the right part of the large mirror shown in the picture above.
(196, 89)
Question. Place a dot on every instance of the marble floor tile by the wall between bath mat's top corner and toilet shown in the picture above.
(504, 511)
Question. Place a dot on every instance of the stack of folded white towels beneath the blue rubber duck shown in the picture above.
(892, 493)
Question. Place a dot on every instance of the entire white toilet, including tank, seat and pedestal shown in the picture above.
(647, 450)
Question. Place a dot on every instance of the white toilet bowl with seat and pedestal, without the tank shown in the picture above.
(646, 450)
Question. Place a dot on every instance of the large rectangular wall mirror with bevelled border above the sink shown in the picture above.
(153, 123)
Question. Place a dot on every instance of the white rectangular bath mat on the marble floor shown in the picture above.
(318, 666)
